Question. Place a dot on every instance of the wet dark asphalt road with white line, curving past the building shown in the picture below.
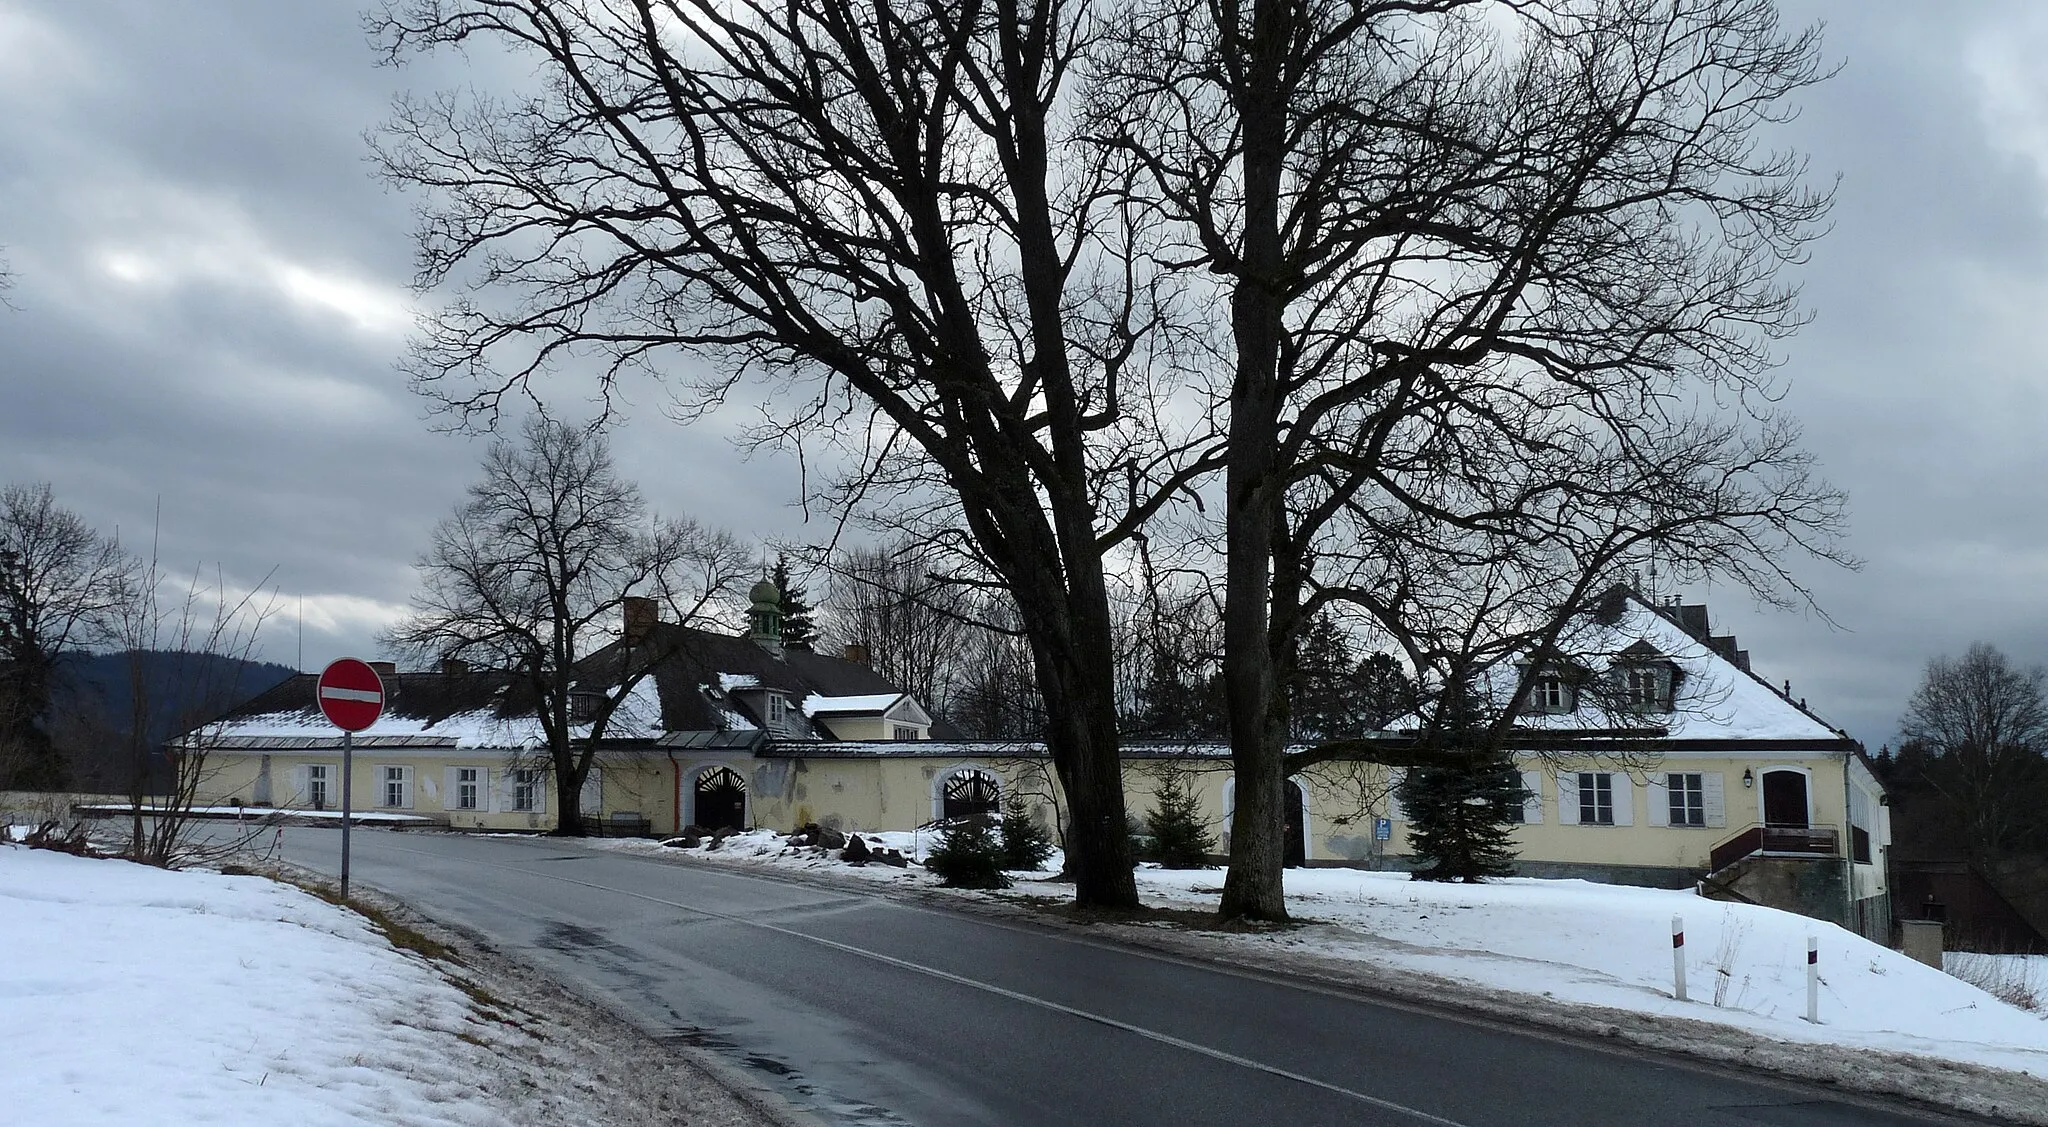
(867, 1011)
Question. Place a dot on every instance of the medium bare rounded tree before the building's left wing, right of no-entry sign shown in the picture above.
(536, 567)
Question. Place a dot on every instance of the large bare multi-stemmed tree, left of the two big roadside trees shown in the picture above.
(886, 214)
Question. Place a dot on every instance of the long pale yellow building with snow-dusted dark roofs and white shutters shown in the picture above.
(1650, 757)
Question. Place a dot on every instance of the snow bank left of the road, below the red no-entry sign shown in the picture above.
(134, 995)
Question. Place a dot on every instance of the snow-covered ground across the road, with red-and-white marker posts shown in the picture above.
(1578, 944)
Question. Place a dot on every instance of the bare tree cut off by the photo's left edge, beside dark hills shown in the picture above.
(60, 589)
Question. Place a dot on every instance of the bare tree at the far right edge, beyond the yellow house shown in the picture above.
(1983, 726)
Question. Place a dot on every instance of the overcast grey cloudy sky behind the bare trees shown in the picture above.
(212, 292)
